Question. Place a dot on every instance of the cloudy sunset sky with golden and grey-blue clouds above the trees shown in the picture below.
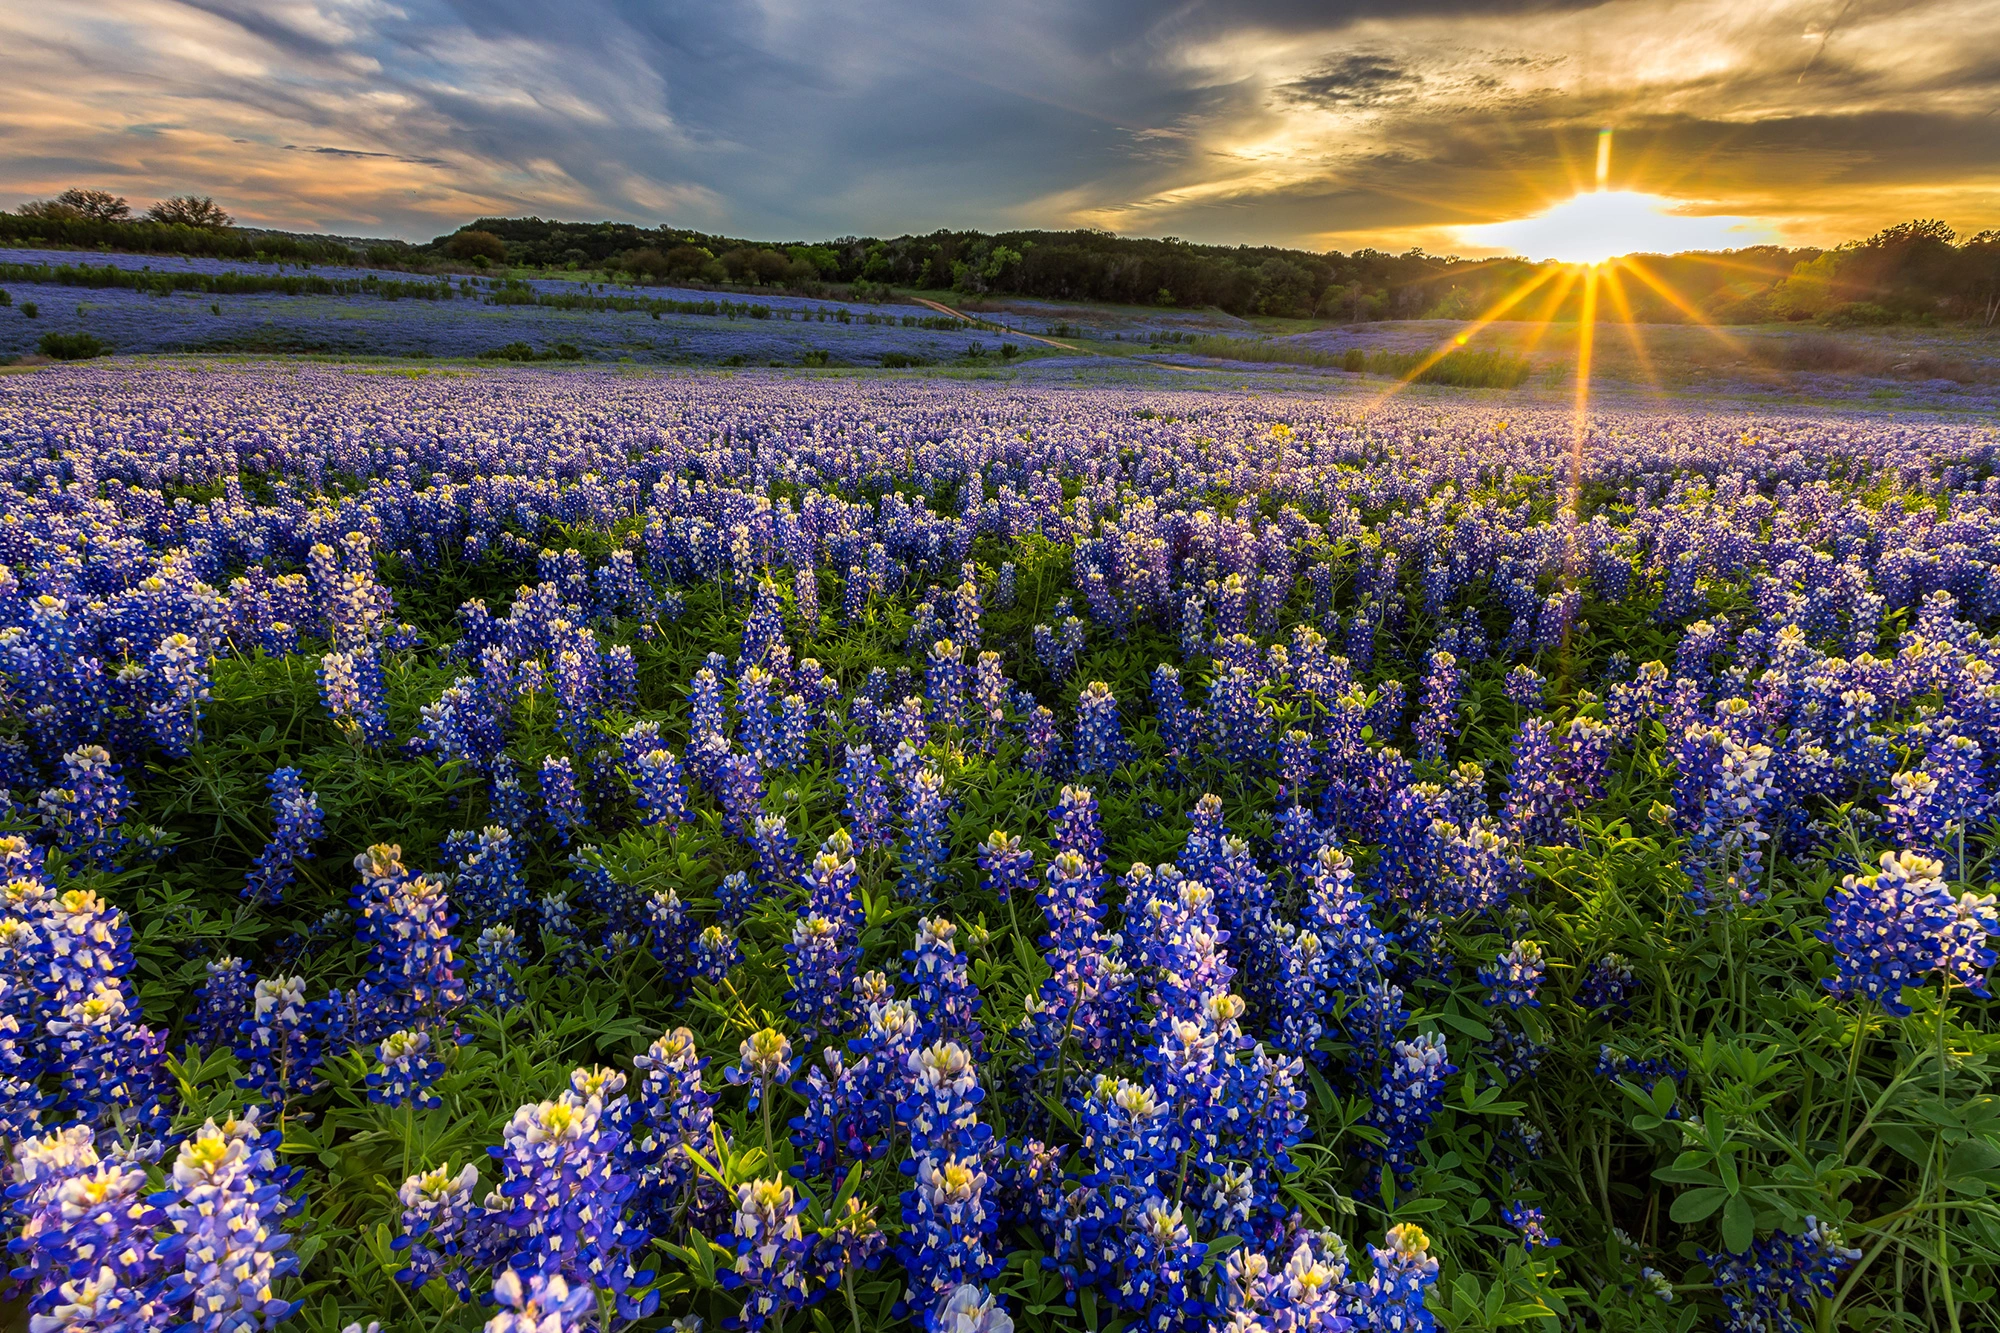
(1309, 123)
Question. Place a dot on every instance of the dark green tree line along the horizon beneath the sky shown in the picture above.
(1909, 273)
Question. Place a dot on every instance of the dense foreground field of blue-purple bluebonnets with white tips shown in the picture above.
(587, 852)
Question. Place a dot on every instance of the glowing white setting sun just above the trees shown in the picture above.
(1603, 225)
